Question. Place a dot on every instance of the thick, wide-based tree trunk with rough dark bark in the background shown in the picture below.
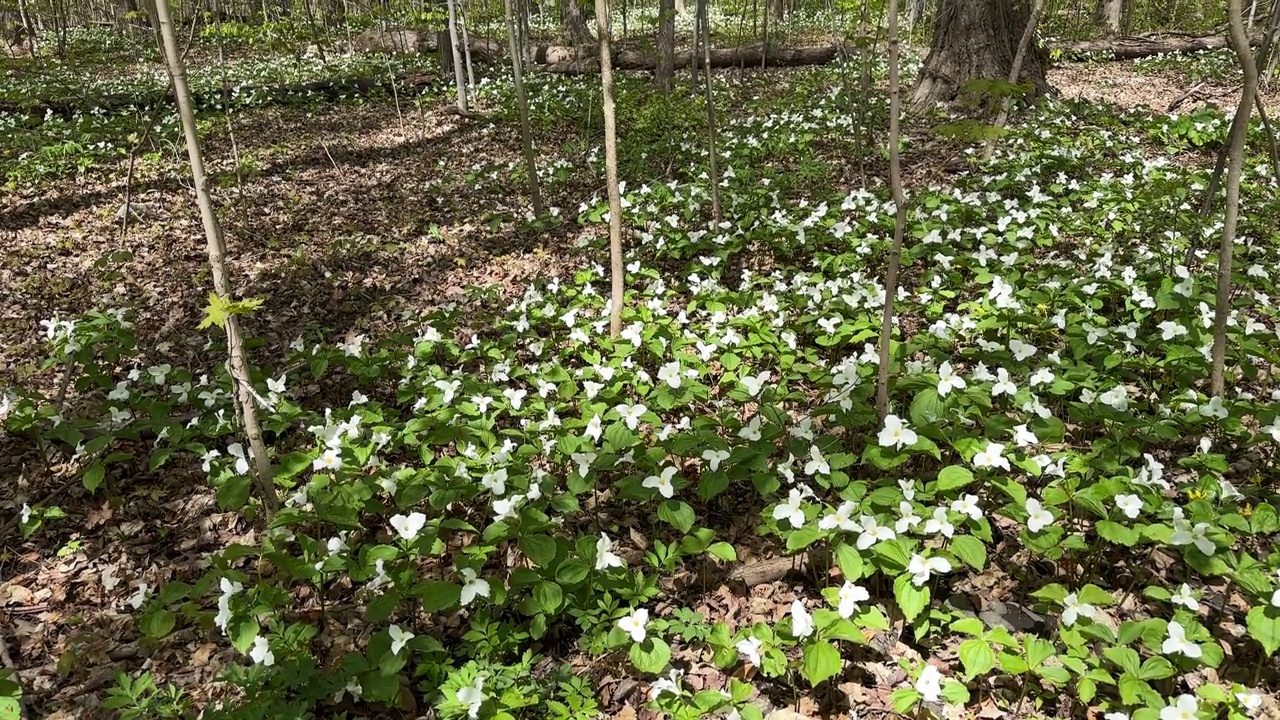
(975, 40)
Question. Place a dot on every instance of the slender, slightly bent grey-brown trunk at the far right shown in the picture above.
(1236, 162)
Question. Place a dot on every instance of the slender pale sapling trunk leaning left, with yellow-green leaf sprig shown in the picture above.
(217, 248)
